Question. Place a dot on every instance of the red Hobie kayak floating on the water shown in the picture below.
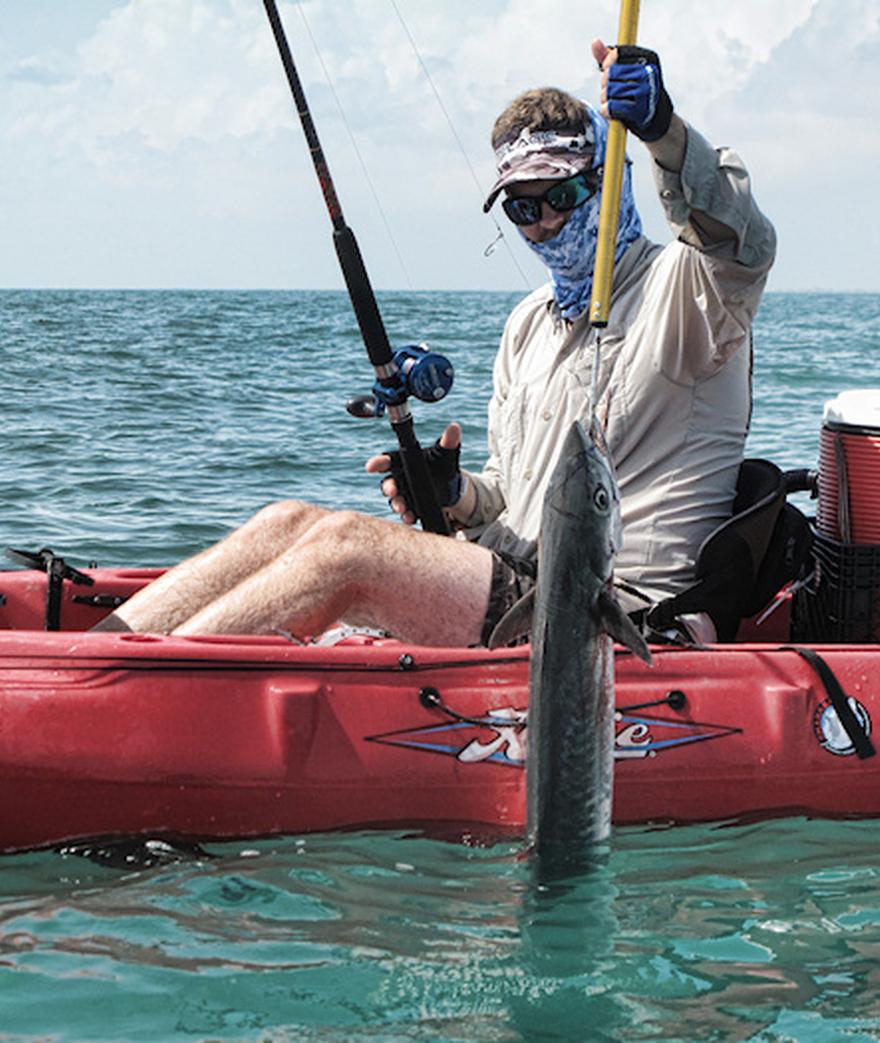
(120, 735)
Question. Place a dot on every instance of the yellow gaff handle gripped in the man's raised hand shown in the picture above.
(613, 179)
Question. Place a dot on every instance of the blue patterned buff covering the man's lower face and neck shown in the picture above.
(571, 255)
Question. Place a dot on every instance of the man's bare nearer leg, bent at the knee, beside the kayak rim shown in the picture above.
(421, 588)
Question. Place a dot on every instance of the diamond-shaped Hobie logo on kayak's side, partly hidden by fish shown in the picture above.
(501, 737)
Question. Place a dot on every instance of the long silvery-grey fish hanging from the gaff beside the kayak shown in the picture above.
(574, 619)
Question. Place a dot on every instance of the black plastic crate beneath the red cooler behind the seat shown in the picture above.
(842, 602)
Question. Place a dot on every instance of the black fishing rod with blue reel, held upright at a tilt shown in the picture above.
(399, 375)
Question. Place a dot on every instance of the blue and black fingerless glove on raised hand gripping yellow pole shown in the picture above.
(637, 95)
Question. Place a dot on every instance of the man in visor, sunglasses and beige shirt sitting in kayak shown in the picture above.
(673, 383)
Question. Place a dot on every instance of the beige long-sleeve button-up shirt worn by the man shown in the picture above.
(674, 381)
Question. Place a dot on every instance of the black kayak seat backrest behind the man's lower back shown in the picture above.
(744, 564)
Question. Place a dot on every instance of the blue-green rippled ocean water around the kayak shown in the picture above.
(139, 427)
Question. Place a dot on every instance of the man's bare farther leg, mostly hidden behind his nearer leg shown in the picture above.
(187, 589)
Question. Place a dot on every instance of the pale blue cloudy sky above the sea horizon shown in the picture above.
(154, 143)
